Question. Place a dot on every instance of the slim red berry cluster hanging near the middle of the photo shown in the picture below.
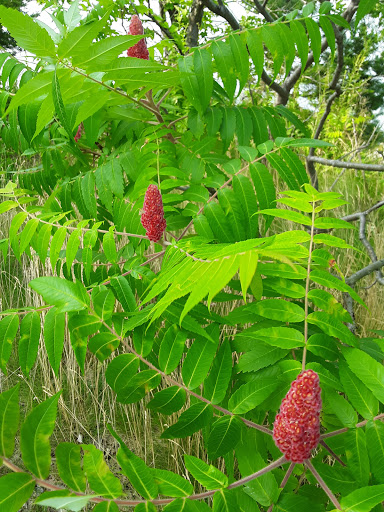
(152, 217)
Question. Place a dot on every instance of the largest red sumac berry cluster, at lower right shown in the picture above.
(296, 430)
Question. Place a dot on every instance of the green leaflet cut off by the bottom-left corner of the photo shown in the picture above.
(15, 490)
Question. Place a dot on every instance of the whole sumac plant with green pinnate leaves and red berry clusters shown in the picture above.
(151, 205)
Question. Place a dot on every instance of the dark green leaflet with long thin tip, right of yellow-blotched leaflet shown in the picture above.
(139, 474)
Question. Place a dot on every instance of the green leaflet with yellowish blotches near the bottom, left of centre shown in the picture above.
(99, 476)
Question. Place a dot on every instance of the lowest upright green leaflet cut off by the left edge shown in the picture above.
(9, 420)
